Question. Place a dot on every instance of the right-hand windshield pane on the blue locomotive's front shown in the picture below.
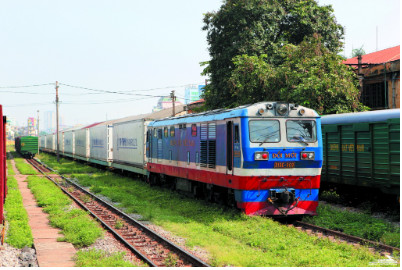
(301, 131)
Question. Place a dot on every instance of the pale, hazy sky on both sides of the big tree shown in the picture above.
(143, 48)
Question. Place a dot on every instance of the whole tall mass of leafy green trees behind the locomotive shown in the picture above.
(252, 44)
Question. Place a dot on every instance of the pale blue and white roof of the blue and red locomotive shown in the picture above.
(249, 110)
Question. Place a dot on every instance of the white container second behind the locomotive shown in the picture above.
(100, 143)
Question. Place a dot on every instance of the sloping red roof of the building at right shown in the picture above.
(383, 56)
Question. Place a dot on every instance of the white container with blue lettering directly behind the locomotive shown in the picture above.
(129, 143)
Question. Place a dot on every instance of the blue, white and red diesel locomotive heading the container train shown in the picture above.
(266, 158)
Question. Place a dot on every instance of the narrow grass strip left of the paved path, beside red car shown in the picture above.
(19, 233)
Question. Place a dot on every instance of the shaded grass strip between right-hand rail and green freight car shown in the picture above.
(357, 224)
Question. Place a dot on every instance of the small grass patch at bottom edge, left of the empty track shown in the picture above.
(99, 258)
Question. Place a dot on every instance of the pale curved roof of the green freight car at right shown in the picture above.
(360, 117)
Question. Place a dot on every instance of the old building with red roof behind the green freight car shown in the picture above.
(379, 78)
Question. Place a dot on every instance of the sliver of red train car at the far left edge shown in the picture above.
(3, 165)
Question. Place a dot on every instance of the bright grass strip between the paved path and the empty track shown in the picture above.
(76, 224)
